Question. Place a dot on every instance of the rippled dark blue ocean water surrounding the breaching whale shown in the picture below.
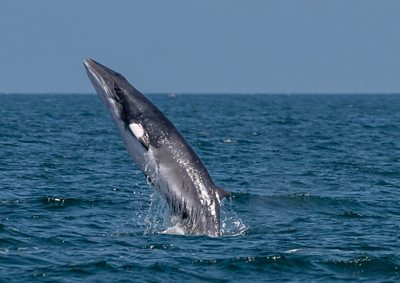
(315, 181)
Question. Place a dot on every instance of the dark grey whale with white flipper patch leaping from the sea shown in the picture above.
(161, 153)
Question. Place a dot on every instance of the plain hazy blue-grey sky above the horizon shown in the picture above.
(203, 46)
